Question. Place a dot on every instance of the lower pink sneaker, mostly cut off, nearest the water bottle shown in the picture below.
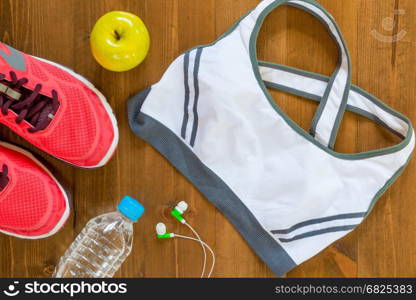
(33, 204)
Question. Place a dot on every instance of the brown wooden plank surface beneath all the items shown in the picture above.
(384, 245)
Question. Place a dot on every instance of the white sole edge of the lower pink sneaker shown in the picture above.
(66, 214)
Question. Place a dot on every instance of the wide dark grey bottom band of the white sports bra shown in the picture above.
(210, 185)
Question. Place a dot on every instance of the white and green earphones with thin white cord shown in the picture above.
(177, 213)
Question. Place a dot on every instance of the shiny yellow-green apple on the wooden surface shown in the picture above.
(119, 41)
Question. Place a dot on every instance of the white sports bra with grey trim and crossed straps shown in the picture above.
(287, 191)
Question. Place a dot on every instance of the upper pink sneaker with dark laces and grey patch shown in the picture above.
(55, 109)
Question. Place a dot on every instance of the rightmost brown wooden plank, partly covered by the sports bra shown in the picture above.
(385, 240)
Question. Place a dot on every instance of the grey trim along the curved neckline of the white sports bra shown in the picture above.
(301, 131)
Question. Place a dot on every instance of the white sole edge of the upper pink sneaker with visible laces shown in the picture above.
(106, 105)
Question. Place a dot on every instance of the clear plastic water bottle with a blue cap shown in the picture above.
(103, 245)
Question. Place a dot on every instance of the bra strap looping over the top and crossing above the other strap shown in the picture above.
(327, 119)
